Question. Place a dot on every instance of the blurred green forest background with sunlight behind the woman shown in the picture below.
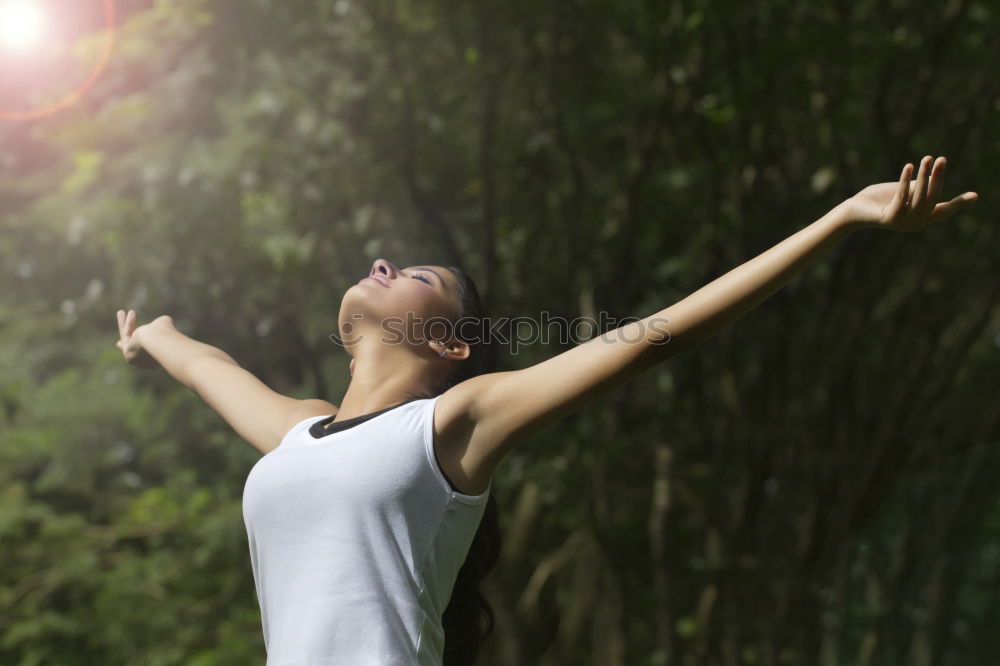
(815, 485)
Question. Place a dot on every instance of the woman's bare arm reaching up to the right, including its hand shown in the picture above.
(500, 409)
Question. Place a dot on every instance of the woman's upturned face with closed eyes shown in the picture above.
(400, 304)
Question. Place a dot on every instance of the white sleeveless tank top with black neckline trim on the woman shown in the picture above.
(356, 537)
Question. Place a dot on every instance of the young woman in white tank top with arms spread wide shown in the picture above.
(370, 524)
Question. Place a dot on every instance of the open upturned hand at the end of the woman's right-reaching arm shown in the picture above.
(905, 205)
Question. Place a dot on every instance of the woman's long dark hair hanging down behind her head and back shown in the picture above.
(469, 619)
